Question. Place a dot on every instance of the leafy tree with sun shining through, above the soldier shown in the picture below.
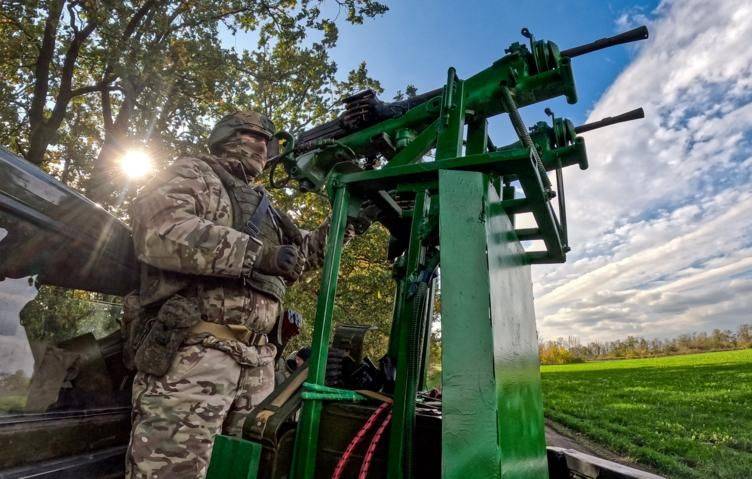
(155, 72)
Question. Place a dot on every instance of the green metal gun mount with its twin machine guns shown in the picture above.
(455, 210)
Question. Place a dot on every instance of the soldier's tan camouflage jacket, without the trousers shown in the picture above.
(183, 235)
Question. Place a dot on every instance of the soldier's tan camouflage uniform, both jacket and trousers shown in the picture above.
(183, 235)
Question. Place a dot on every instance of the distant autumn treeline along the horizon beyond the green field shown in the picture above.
(571, 350)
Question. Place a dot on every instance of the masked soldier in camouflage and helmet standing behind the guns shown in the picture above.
(216, 260)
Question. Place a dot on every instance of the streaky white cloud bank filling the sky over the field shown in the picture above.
(661, 223)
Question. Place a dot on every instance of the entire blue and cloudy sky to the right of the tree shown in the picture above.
(660, 225)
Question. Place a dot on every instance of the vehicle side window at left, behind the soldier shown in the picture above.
(59, 348)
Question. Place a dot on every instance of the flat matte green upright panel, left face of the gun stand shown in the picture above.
(470, 447)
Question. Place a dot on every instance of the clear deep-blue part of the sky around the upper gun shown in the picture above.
(417, 40)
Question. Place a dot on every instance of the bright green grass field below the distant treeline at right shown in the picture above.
(686, 416)
